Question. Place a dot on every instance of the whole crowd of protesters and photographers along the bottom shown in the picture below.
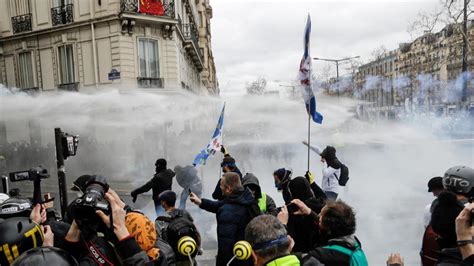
(313, 227)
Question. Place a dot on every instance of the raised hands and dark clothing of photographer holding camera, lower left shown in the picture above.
(91, 249)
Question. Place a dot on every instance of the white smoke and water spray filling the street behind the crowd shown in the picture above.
(123, 133)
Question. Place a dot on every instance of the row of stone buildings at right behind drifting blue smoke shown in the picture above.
(399, 77)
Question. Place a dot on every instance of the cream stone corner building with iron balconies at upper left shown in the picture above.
(77, 44)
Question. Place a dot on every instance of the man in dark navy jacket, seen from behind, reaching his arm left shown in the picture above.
(233, 214)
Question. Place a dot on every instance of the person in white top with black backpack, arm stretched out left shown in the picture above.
(331, 171)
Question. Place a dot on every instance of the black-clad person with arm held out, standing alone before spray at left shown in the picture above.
(161, 181)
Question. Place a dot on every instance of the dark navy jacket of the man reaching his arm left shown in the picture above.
(232, 216)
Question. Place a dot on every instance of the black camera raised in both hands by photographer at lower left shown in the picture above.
(83, 209)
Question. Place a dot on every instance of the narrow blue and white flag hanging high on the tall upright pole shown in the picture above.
(305, 77)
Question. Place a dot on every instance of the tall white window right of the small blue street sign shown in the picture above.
(148, 58)
